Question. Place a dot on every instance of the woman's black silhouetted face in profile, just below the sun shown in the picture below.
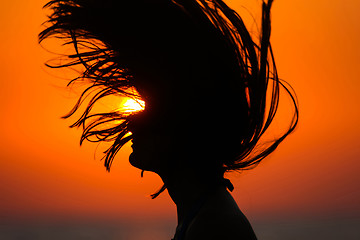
(153, 138)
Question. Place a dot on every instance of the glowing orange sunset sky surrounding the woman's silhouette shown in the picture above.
(45, 173)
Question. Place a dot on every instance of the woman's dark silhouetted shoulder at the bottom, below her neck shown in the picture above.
(221, 219)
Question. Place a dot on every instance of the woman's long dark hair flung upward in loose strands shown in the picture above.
(204, 43)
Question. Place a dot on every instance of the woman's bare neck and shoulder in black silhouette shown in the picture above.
(218, 218)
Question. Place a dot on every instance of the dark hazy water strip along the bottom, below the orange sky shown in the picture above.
(330, 229)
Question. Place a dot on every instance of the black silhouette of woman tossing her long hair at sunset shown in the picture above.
(205, 83)
